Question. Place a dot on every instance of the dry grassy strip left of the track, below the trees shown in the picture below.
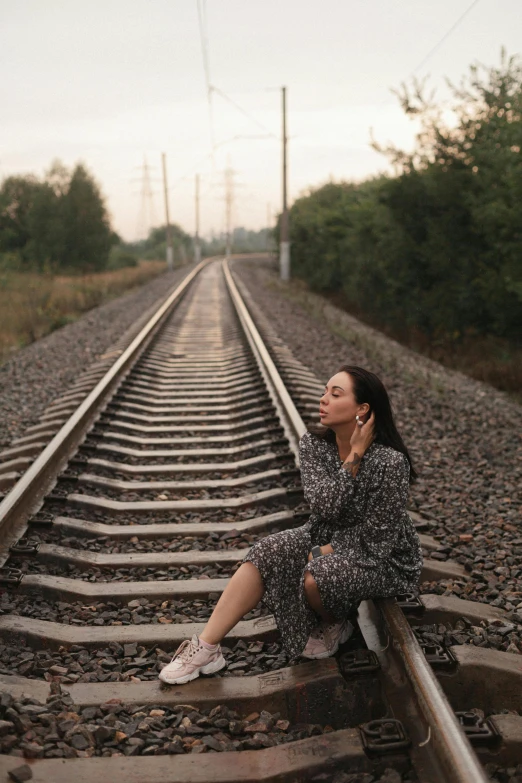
(32, 305)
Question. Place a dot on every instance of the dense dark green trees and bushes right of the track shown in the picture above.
(438, 246)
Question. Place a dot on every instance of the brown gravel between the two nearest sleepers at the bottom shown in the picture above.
(56, 731)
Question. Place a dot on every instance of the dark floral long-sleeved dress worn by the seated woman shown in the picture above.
(376, 547)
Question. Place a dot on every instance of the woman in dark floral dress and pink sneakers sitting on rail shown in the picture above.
(358, 543)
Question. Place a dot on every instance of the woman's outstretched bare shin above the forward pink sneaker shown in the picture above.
(243, 593)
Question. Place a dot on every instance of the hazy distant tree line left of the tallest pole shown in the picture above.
(60, 224)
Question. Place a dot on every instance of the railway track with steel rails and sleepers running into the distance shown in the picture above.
(119, 538)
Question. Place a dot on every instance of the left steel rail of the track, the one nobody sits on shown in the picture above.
(27, 494)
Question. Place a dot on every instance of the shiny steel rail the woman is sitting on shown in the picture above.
(446, 739)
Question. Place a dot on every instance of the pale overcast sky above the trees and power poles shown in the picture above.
(115, 82)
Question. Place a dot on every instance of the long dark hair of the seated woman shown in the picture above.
(367, 387)
